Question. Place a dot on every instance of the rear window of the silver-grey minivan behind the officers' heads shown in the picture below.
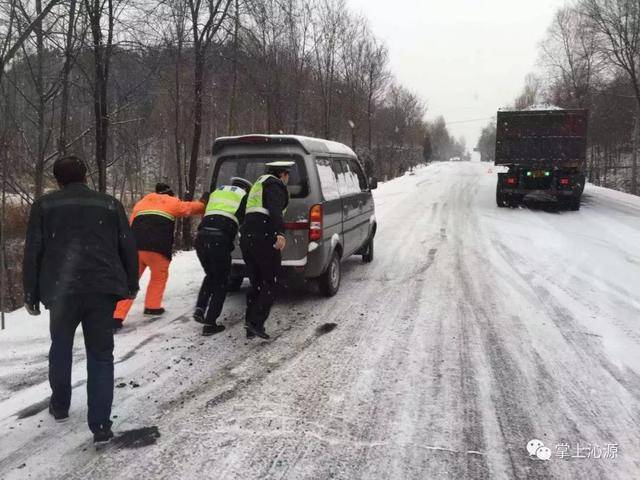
(253, 166)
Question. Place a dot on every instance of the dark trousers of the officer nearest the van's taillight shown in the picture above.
(263, 266)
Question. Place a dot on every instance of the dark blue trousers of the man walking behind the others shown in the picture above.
(95, 313)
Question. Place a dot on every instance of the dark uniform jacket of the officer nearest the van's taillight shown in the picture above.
(275, 198)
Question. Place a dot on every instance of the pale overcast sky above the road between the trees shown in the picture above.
(464, 58)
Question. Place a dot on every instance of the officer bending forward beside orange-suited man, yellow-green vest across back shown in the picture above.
(224, 213)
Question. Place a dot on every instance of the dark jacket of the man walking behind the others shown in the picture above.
(78, 241)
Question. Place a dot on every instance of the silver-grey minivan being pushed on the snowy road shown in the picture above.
(330, 214)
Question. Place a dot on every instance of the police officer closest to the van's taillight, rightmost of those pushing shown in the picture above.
(262, 241)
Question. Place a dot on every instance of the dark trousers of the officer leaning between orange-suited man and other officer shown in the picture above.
(214, 253)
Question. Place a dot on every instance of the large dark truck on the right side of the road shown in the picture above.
(545, 154)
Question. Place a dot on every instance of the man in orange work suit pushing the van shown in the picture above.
(153, 222)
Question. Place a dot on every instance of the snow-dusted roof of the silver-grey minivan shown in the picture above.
(309, 144)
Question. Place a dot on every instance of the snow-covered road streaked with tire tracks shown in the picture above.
(474, 331)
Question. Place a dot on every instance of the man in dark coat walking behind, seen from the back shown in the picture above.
(80, 258)
